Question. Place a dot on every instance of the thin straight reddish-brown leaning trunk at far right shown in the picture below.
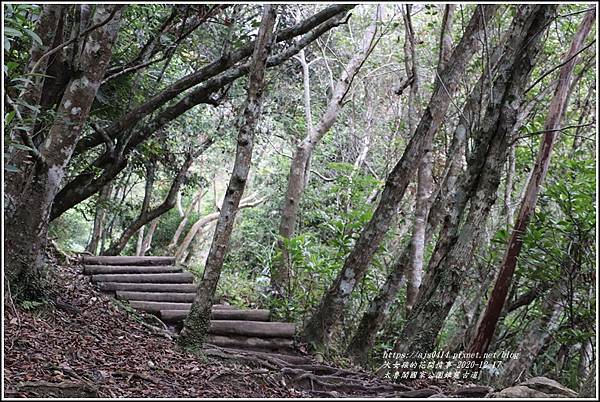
(487, 325)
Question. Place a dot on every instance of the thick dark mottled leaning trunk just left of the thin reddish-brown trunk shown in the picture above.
(455, 244)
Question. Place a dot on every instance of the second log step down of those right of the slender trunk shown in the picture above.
(252, 328)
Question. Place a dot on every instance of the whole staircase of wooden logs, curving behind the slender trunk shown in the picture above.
(155, 285)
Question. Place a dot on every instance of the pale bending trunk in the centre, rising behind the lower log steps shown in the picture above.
(300, 166)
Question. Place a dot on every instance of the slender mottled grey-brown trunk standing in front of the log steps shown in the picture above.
(196, 324)
